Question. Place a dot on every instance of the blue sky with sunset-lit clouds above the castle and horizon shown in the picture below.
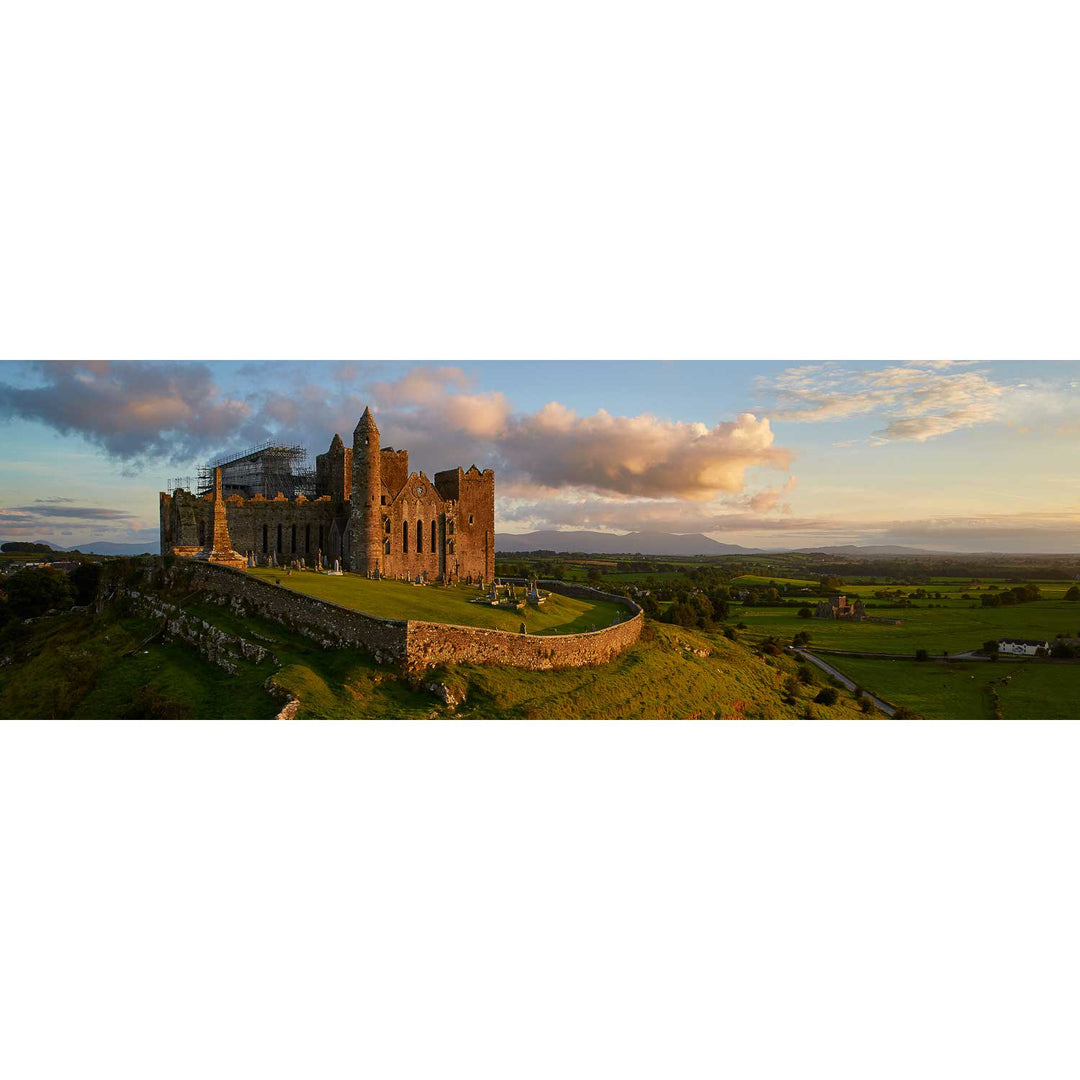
(950, 455)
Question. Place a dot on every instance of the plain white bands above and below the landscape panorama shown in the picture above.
(463, 181)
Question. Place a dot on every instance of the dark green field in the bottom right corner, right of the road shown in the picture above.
(961, 691)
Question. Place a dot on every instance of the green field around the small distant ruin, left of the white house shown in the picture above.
(957, 627)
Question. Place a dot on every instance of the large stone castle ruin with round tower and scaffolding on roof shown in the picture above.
(368, 511)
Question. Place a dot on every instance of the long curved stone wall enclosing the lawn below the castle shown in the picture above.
(416, 646)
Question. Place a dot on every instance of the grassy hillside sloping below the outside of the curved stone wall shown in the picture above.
(82, 666)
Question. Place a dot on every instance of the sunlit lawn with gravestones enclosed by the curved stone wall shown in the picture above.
(397, 600)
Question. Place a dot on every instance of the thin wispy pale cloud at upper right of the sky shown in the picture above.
(921, 401)
